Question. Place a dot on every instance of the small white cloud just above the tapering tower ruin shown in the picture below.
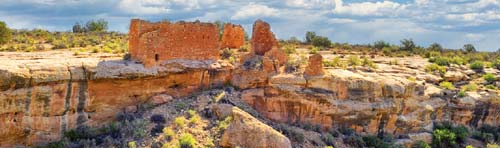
(254, 10)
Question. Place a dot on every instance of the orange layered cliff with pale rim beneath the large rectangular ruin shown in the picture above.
(41, 99)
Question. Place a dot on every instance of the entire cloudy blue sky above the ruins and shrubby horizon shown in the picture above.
(452, 23)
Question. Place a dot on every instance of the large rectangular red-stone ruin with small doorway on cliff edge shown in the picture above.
(153, 43)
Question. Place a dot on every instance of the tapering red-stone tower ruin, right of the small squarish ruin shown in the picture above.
(263, 38)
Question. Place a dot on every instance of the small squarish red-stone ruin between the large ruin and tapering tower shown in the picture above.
(233, 36)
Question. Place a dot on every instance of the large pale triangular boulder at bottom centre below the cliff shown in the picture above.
(246, 131)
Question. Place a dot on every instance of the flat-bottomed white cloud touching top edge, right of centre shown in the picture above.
(368, 8)
